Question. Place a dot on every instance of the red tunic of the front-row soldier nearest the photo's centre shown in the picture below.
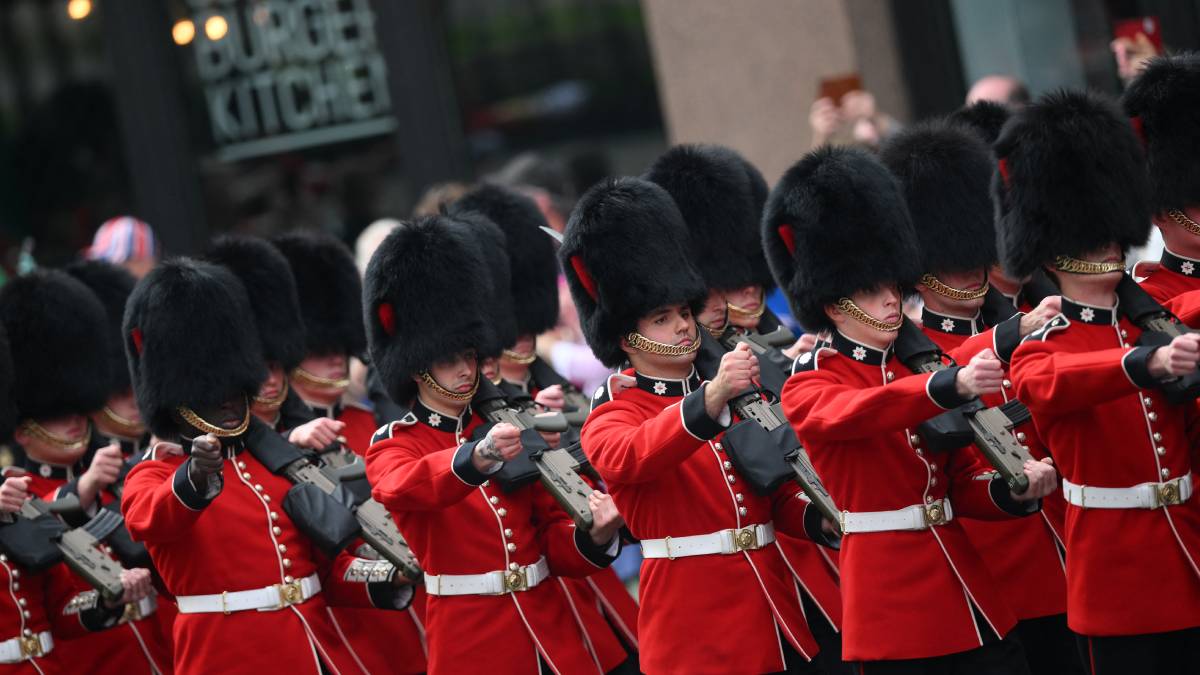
(662, 458)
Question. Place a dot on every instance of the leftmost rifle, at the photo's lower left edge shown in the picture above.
(80, 546)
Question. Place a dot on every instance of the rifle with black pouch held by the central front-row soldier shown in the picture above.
(764, 447)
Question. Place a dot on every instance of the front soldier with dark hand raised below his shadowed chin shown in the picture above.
(233, 541)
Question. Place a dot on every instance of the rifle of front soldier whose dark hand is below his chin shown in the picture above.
(377, 527)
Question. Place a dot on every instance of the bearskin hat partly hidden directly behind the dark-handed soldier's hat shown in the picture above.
(267, 277)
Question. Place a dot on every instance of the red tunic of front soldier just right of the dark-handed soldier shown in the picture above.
(459, 523)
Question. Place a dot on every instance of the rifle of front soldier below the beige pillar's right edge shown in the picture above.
(988, 428)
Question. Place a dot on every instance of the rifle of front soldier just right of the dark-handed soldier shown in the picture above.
(557, 469)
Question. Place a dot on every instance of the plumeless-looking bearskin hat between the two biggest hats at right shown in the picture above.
(945, 172)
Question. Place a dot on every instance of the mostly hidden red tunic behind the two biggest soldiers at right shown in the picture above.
(1023, 554)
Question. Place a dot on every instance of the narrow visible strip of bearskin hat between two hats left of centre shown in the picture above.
(490, 246)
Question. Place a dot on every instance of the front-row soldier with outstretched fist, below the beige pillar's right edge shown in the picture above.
(917, 596)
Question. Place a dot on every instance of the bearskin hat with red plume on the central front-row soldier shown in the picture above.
(626, 254)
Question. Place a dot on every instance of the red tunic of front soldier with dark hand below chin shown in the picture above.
(203, 547)
